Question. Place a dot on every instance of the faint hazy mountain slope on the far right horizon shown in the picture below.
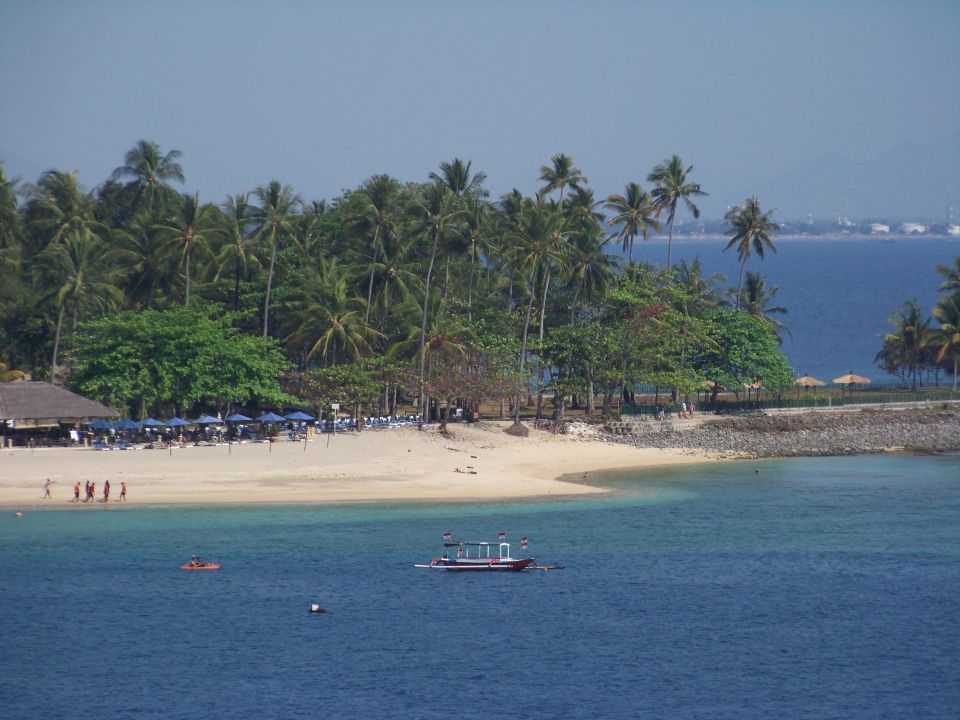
(909, 183)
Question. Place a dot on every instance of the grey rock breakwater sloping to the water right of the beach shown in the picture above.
(805, 434)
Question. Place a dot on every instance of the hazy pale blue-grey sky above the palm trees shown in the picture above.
(812, 106)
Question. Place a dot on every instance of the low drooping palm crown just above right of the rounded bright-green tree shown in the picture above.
(329, 320)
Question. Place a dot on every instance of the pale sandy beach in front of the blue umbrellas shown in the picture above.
(398, 464)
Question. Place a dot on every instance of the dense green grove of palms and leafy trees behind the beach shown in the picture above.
(158, 300)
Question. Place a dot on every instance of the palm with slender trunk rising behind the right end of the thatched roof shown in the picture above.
(82, 281)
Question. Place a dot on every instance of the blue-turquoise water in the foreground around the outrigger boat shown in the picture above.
(818, 588)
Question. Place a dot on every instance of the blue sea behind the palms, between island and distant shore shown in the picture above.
(838, 293)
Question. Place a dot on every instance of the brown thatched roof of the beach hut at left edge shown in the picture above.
(40, 403)
